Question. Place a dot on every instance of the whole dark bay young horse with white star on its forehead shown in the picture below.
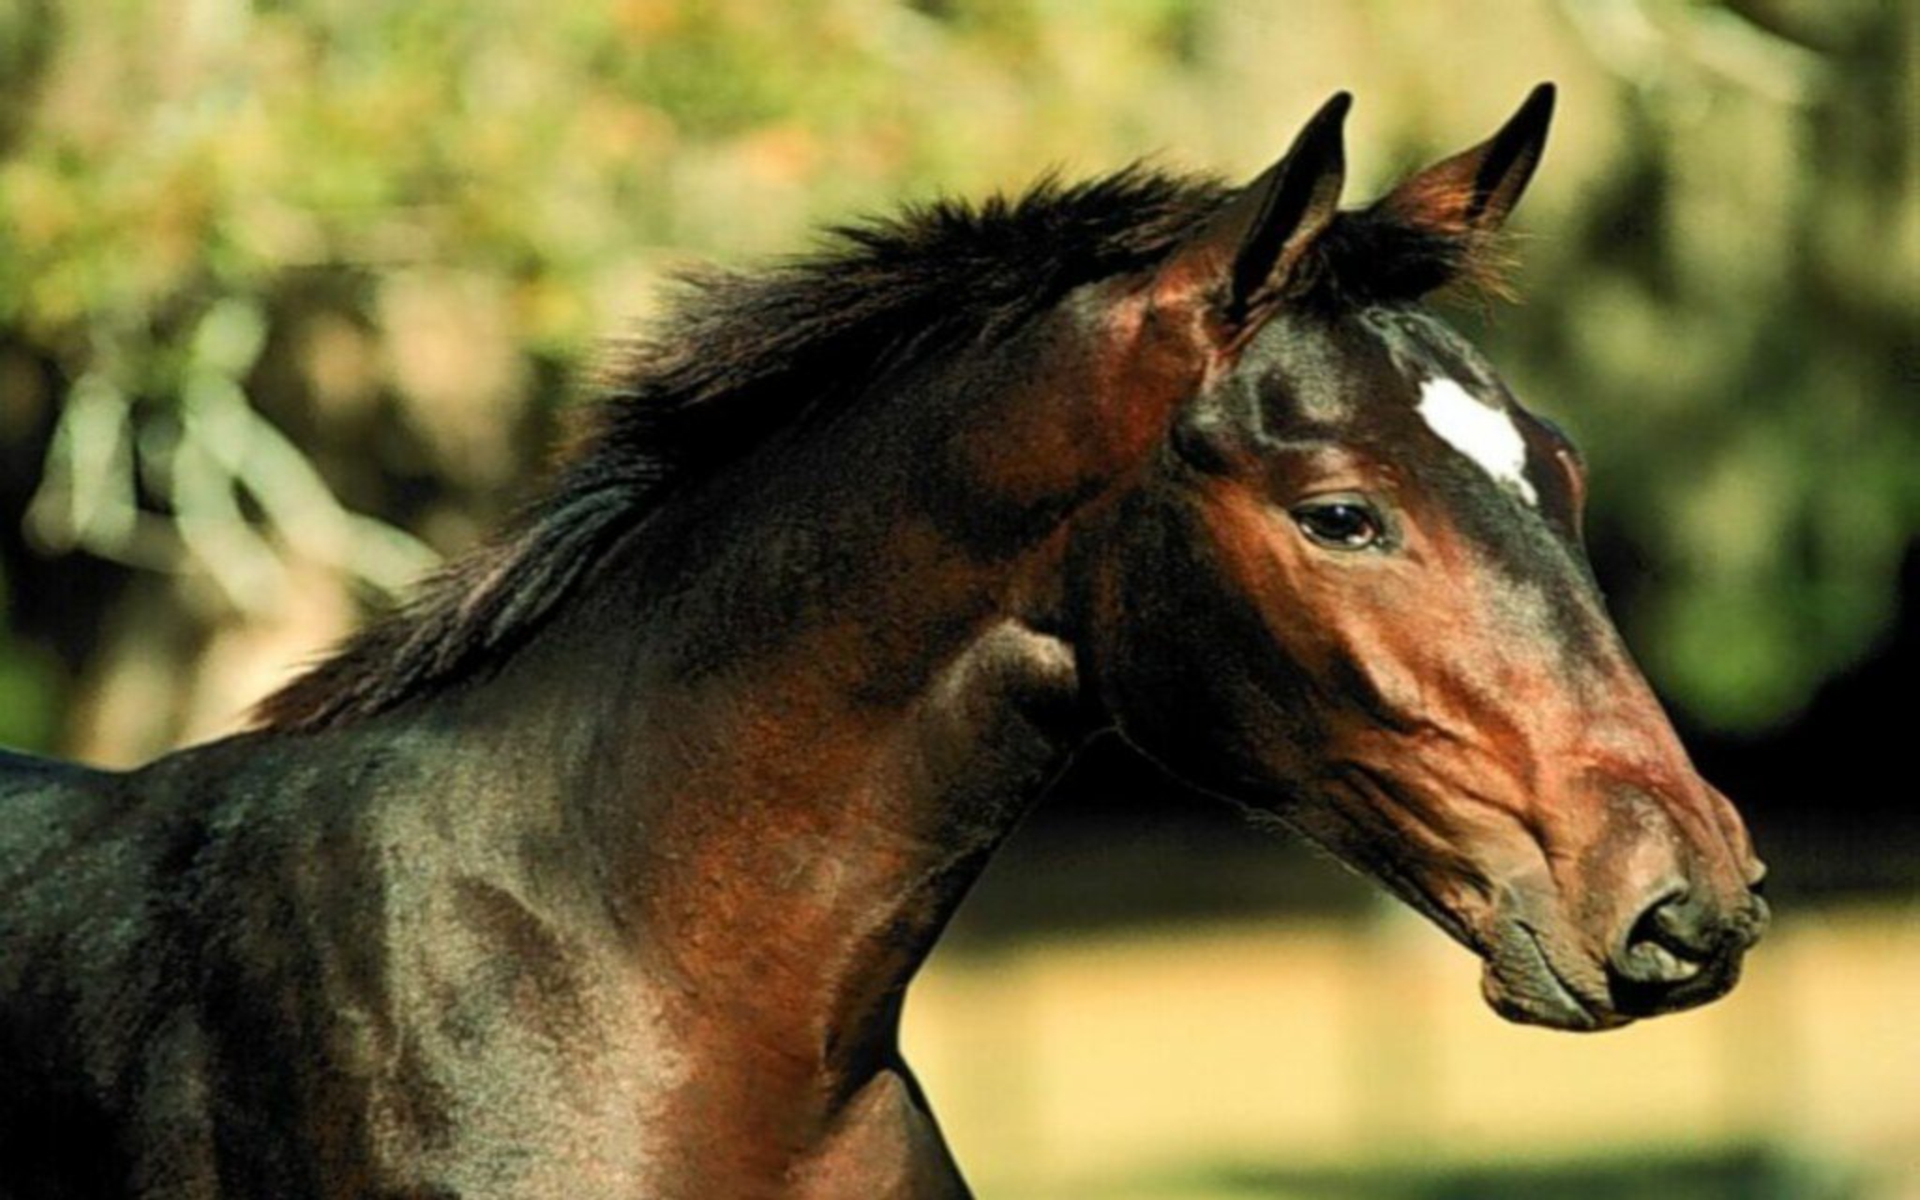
(602, 867)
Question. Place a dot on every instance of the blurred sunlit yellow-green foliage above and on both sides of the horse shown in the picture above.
(389, 233)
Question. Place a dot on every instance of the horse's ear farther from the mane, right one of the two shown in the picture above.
(1477, 189)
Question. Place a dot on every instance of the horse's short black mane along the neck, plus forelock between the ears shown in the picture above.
(748, 354)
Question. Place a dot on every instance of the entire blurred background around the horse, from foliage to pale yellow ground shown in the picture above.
(293, 295)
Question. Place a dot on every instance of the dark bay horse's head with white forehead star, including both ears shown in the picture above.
(1349, 590)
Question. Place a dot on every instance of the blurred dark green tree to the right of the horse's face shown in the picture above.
(1746, 285)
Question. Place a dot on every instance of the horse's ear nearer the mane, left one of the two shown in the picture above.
(1247, 251)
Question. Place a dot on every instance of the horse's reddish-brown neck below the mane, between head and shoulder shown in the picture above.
(821, 696)
